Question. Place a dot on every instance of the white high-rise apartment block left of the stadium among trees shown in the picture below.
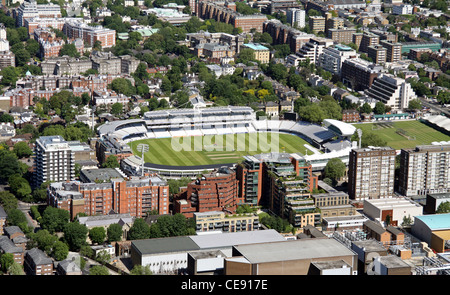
(53, 160)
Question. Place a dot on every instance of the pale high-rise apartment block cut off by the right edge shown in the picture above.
(424, 170)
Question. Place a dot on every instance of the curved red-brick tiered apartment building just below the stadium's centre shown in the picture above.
(217, 191)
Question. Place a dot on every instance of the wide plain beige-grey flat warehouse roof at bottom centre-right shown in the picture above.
(293, 250)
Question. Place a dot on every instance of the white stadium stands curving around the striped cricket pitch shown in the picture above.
(332, 140)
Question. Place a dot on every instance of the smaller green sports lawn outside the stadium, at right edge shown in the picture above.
(415, 133)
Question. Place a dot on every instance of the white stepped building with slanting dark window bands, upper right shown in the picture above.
(392, 91)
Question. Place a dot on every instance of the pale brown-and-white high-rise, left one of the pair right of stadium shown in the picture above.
(371, 173)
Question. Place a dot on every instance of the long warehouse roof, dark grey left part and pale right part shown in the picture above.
(207, 241)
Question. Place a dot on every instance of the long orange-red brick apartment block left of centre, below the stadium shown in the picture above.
(133, 196)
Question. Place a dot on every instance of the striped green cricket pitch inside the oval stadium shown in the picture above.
(216, 149)
